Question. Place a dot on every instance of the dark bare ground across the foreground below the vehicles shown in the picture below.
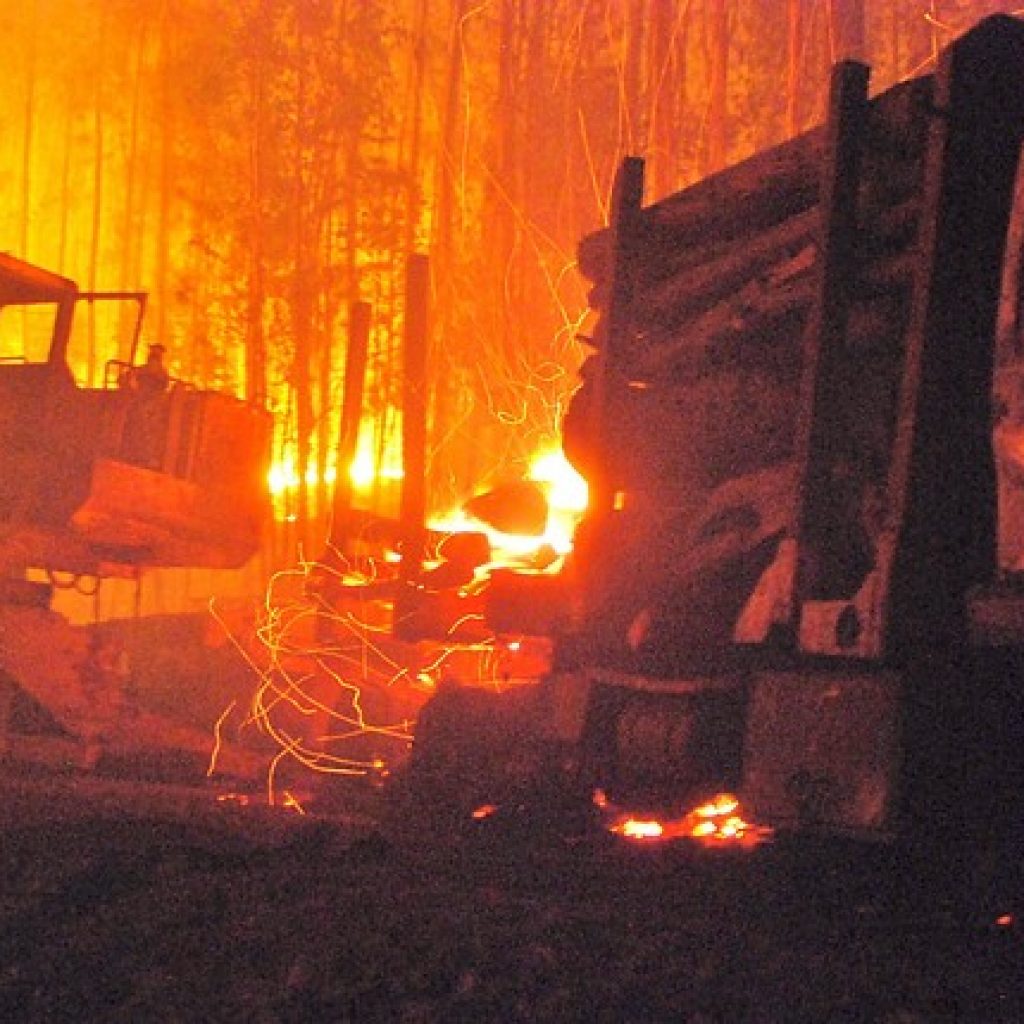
(125, 901)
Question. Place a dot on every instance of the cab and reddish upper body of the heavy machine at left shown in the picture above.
(102, 477)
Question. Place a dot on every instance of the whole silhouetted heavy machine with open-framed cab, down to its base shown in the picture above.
(138, 472)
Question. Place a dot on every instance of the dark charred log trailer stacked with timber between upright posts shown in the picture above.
(800, 576)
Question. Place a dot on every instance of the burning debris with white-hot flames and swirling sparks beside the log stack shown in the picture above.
(349, 655)
